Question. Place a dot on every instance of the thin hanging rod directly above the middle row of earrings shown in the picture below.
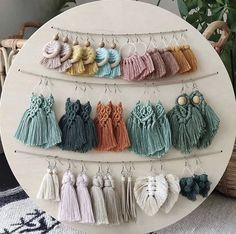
(134, 84)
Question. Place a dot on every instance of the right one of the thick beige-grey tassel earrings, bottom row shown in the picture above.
(111, 198)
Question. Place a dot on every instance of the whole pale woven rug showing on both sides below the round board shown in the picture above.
(18, 214)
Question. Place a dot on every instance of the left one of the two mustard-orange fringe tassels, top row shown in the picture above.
(181, 60)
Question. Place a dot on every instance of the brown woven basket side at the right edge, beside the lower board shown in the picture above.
(227, 183)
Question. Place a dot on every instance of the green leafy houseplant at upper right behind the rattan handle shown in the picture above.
(200, 13)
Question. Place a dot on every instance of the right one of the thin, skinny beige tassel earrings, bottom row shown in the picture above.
(130, 199)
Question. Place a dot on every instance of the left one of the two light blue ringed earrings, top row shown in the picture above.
(102, 58)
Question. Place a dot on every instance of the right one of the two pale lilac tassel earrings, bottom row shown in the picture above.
(84, 198)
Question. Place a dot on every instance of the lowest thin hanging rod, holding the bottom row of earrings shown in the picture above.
(148, 159)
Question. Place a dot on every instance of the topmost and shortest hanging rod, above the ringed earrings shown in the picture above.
(119, 34)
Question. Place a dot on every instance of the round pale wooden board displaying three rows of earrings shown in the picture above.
(115, 17)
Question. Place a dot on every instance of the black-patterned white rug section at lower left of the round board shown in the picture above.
(18, 214)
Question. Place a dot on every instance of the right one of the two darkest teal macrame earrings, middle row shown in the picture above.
(89, 128)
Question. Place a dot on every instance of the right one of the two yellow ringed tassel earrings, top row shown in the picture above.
(89, 59)
